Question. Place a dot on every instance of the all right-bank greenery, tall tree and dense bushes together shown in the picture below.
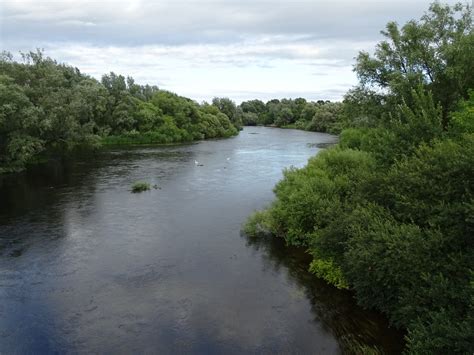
(388, 213)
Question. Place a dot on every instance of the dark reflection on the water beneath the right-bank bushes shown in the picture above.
(353, 326)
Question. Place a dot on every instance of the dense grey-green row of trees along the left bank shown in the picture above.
(46, 107)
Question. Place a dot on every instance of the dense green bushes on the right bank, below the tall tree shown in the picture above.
(386, 216)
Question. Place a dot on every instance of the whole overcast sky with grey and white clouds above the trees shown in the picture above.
(198, 48)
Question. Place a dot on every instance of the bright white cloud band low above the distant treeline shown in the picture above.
(252, 69)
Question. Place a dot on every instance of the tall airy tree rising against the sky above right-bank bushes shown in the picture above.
(435, 51)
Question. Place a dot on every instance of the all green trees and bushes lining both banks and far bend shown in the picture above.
(387, 213)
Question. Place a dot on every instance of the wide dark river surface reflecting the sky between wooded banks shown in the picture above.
(86, 266)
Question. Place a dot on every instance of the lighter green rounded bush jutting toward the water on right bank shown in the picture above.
(309, 200)
